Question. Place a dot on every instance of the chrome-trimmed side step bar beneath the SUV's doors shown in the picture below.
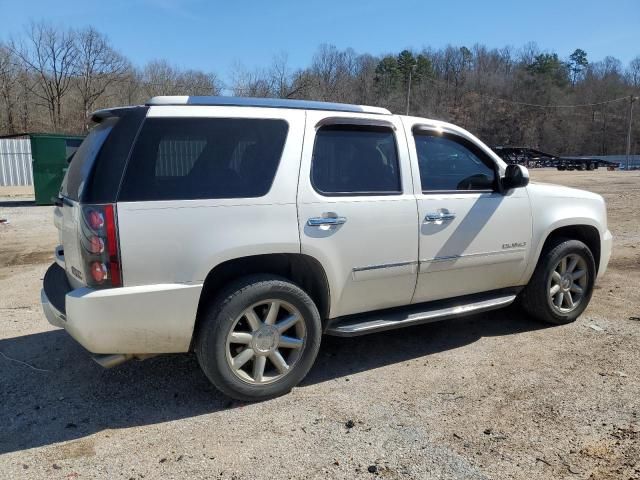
(361, 324)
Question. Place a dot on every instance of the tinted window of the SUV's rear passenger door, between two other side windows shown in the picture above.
(355, 160)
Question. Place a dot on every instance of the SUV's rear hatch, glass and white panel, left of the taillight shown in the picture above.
(67, 213)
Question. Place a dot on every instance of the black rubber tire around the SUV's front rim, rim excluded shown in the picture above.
(535, 296)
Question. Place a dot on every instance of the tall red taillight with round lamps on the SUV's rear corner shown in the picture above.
(99, 239)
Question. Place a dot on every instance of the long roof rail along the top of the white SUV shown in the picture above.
(265, 103)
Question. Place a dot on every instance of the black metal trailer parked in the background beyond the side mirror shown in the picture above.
(532, 158)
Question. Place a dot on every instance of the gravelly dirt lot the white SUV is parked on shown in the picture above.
(489, 396)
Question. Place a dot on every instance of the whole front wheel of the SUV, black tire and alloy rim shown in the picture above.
(562, 284)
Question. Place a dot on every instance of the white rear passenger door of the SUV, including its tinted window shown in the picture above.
(356, 208)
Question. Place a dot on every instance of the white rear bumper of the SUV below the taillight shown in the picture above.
(130, 320)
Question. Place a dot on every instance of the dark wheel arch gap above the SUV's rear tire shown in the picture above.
(304, 270)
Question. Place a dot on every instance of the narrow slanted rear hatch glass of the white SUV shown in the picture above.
(82, 162)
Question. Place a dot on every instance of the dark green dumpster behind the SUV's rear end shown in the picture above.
(50, 153)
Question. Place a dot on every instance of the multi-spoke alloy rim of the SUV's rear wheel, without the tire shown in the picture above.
(265, 342)
